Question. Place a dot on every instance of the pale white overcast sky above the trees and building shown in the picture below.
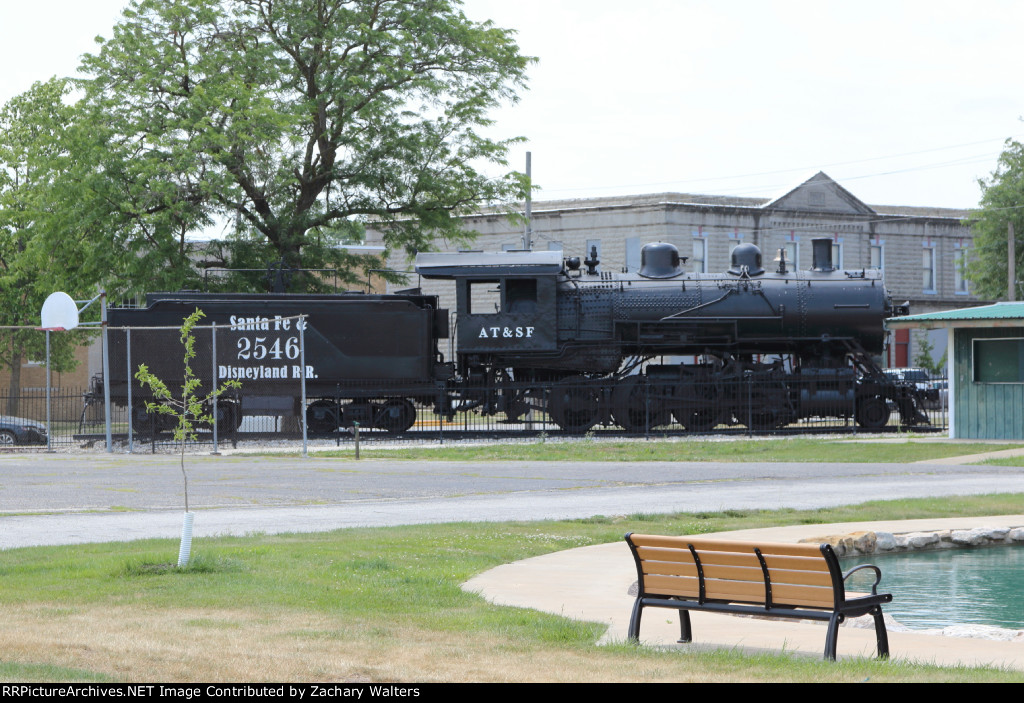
(903, 103)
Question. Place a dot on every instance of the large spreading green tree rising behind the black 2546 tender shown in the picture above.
(293, 123)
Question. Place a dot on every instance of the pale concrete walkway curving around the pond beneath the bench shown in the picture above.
(592, 583)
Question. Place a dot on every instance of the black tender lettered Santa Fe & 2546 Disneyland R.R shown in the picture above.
(359, 348)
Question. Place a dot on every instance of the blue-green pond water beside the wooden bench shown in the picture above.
(984, 586)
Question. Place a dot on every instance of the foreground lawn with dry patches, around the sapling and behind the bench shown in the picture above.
(377, 605)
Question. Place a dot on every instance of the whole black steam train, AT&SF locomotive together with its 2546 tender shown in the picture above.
(536, 333)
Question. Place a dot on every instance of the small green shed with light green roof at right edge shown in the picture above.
(987, 368)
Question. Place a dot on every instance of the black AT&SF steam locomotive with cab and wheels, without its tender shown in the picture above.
(749, 346)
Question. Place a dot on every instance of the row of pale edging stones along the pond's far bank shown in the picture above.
(868, 543)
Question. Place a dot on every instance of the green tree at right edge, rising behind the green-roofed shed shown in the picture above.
(1002, 204)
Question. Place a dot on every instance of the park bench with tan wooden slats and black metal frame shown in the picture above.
(779, 581)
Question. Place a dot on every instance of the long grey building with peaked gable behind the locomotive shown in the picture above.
(918, 249)
